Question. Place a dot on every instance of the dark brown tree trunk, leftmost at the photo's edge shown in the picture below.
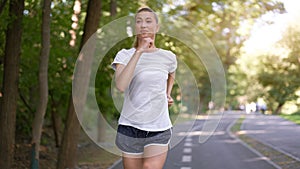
(8, 103)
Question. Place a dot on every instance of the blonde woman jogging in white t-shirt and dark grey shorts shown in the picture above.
(146, 75)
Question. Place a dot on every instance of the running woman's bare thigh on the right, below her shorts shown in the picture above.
(155, 156)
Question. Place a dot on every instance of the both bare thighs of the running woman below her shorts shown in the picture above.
(154, 157)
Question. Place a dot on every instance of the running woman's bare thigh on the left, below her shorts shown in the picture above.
(132, 161)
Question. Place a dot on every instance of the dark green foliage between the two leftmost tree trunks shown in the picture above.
(28, 79)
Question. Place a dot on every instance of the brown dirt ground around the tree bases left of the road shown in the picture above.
(90, 156)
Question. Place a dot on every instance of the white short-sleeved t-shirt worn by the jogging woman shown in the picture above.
(145, 100)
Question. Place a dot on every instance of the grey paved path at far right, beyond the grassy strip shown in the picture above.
(274, 131)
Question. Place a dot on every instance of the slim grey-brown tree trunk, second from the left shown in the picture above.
(43, 85)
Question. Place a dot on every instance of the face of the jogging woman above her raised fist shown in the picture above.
(146, 25)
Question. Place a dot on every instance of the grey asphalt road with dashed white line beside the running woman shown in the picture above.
(220, 151)
